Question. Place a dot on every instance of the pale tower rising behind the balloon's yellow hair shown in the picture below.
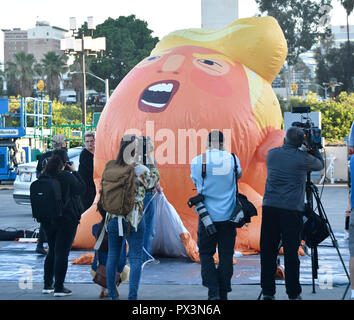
(217, 14)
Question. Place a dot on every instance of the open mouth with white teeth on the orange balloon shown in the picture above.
(157, 96)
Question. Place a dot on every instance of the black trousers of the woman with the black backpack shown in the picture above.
(60, 237)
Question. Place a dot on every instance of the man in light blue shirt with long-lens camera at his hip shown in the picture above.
(214, 204)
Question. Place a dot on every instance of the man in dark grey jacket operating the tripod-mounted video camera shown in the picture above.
(283, 209)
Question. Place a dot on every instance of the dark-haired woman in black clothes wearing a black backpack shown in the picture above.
(61, 230)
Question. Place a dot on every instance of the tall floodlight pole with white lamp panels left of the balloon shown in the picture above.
(84, 46)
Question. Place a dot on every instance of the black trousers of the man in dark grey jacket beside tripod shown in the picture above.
(280, 225)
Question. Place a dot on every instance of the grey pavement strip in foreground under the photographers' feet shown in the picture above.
(18, 291)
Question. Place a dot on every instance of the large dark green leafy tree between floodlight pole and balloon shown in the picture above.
(128, 41)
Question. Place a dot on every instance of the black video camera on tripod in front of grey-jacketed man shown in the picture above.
(313, 135)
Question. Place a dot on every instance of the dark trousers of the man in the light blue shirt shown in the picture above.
(217, 279)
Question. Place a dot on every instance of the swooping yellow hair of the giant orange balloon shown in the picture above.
(258, 44)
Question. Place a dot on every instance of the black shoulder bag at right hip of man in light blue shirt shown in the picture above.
(244, 208)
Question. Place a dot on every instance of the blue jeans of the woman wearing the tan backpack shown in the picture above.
(135, 241)
